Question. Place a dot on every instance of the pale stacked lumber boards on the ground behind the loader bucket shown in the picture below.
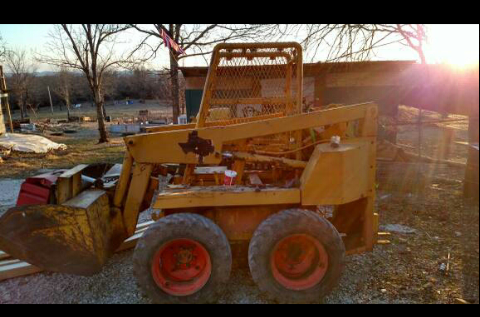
(10, 267)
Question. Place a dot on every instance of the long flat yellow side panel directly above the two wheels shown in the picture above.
(212, 196)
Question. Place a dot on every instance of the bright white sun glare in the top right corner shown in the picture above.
(453, 44)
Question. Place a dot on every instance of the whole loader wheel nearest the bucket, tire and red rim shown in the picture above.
(182, 258)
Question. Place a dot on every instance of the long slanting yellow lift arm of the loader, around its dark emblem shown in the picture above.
(163, 147)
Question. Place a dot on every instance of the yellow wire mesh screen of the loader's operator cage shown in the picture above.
(256, 81)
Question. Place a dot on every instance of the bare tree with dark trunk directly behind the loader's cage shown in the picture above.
(196, 40)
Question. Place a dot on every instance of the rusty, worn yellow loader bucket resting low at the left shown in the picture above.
(76, 237)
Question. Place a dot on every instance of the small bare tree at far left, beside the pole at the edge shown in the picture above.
(22, 70)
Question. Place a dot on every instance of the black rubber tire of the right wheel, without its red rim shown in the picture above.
(280, 225)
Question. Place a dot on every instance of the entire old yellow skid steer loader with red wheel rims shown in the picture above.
(297, 187)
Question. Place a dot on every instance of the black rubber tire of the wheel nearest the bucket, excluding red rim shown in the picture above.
(183, 225)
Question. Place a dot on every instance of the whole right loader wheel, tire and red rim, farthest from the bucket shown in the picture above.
(296, 256)
